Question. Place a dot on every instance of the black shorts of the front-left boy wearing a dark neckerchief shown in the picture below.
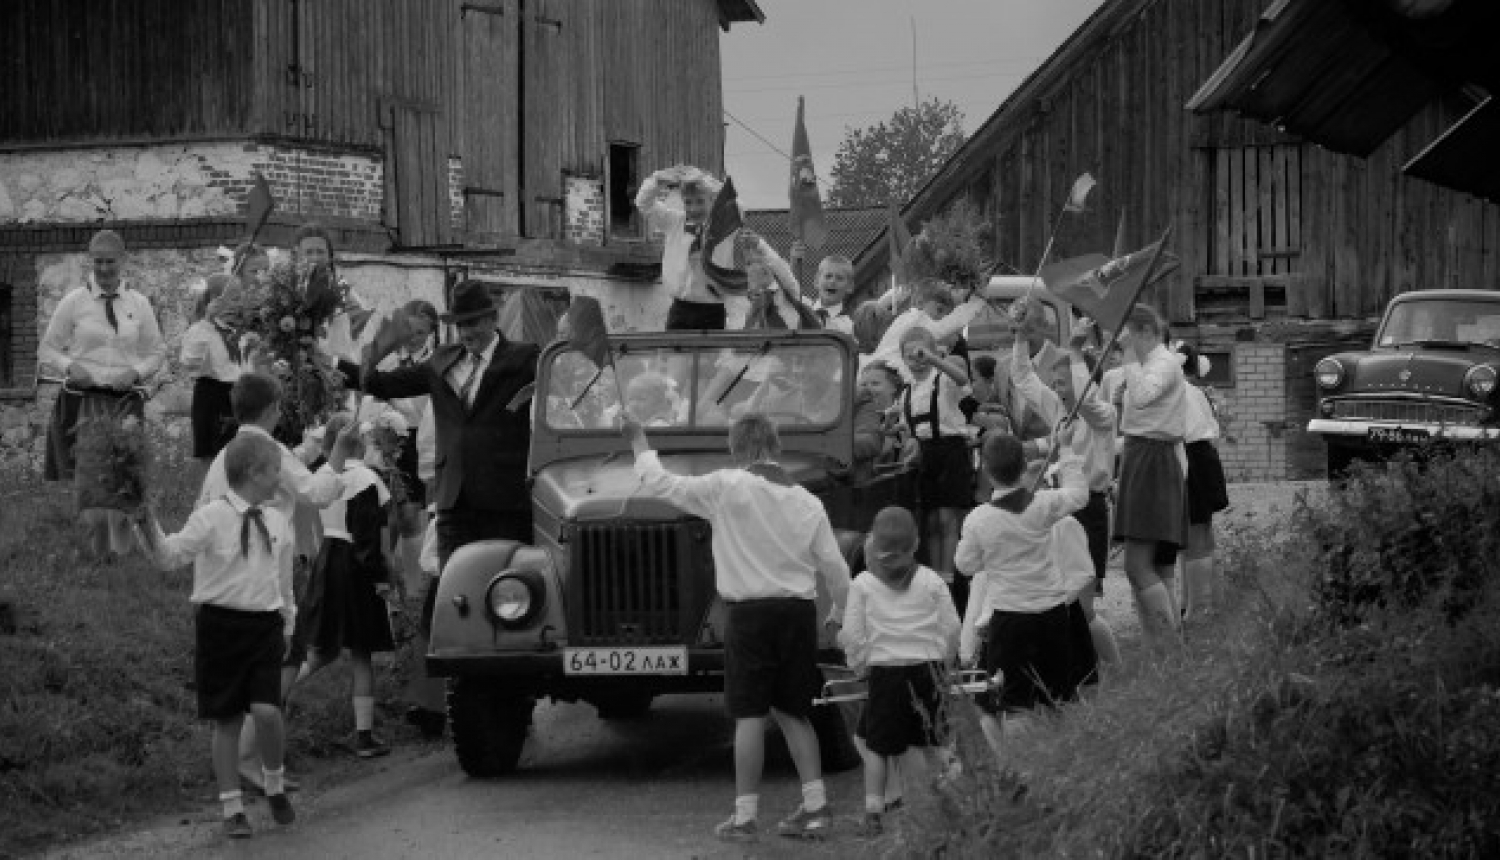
(238, 660)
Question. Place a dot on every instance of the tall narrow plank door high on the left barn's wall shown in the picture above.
(491, 94)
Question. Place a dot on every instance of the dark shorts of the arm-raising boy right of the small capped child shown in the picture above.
(1036, 654)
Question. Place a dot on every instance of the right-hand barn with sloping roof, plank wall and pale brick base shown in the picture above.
(1289, 250)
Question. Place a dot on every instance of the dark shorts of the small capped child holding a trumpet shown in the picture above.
(904, 711)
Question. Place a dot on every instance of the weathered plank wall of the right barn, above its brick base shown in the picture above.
(1334, 235)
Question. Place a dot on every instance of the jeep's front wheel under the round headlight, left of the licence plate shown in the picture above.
(490, 726)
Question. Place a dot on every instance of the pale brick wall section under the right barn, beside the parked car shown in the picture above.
(1255, 441)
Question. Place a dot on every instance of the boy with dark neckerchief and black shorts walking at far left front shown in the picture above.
(241, 550)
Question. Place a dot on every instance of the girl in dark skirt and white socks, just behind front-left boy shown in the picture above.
(346, 604)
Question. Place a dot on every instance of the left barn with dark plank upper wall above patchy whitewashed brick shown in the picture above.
(499, 139)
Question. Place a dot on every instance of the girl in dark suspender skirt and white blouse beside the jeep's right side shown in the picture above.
(935, 419)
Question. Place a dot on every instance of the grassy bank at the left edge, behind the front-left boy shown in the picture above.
(98, 721)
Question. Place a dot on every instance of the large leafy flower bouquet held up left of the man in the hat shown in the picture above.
(287, 320)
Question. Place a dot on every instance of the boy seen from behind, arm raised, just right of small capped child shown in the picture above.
(1007, 547)
